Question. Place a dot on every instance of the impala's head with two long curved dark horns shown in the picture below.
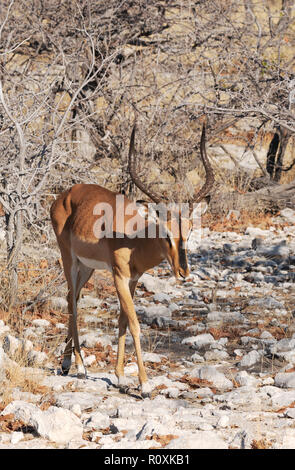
(175, 221)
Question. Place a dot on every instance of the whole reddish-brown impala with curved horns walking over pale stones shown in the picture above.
(74, 216)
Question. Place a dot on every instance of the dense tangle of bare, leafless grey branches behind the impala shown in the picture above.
(73, 73)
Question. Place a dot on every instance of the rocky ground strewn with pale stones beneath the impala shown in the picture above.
(219, 350)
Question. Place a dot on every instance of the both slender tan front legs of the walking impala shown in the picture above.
(128, 315)
